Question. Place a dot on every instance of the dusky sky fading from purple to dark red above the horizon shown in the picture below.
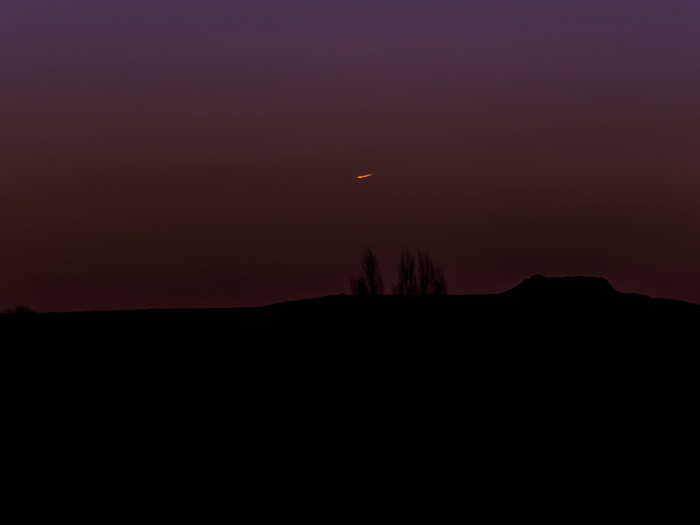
(204, 153)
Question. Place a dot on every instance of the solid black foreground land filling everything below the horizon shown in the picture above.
(561, 398)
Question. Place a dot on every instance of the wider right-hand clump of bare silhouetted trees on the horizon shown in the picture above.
(419, 275)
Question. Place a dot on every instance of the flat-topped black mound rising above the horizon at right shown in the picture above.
(571, 288)
